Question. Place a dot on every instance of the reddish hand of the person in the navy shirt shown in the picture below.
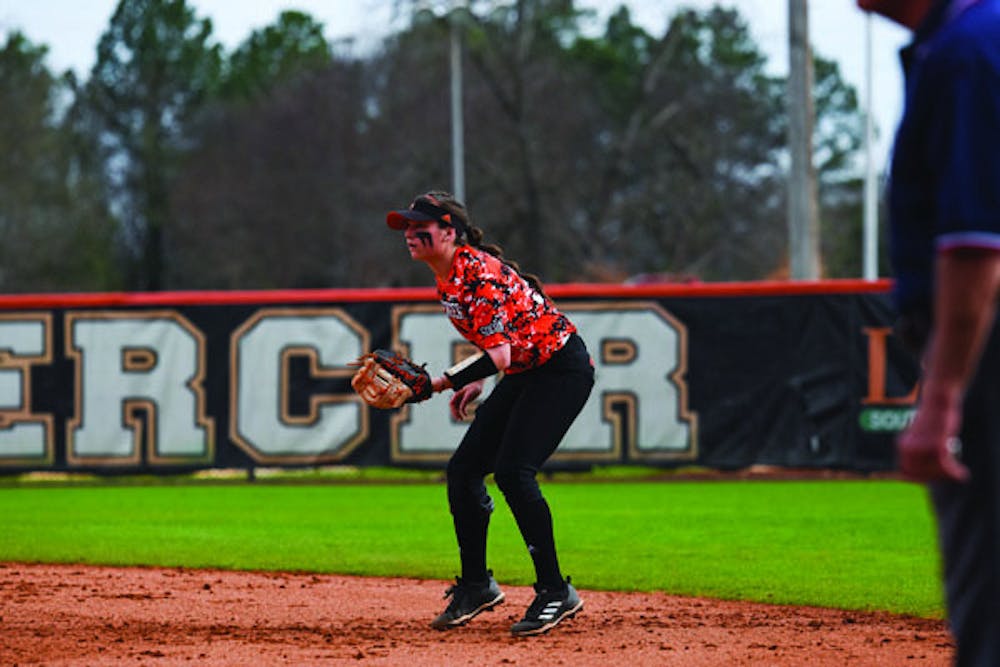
(929, 448)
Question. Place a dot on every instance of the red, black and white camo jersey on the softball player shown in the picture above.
(490, 304)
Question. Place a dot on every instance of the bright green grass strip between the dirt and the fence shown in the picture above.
(846, 544)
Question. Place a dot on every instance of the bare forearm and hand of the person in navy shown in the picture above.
(967, 285)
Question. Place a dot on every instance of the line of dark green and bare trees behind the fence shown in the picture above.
(179, 165)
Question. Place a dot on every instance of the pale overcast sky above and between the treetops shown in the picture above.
(70, 28)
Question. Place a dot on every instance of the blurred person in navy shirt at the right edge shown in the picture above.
(944, 206)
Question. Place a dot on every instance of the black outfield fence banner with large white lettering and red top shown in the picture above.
(725, 376)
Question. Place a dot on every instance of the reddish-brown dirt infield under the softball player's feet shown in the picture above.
(81, 615)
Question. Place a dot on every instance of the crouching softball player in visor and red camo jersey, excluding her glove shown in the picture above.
(547, 377)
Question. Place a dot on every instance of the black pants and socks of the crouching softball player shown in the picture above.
(515, 430)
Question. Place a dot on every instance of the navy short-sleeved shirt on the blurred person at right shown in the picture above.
(944, 188)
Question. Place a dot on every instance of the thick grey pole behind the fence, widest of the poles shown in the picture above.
(803, 223)
